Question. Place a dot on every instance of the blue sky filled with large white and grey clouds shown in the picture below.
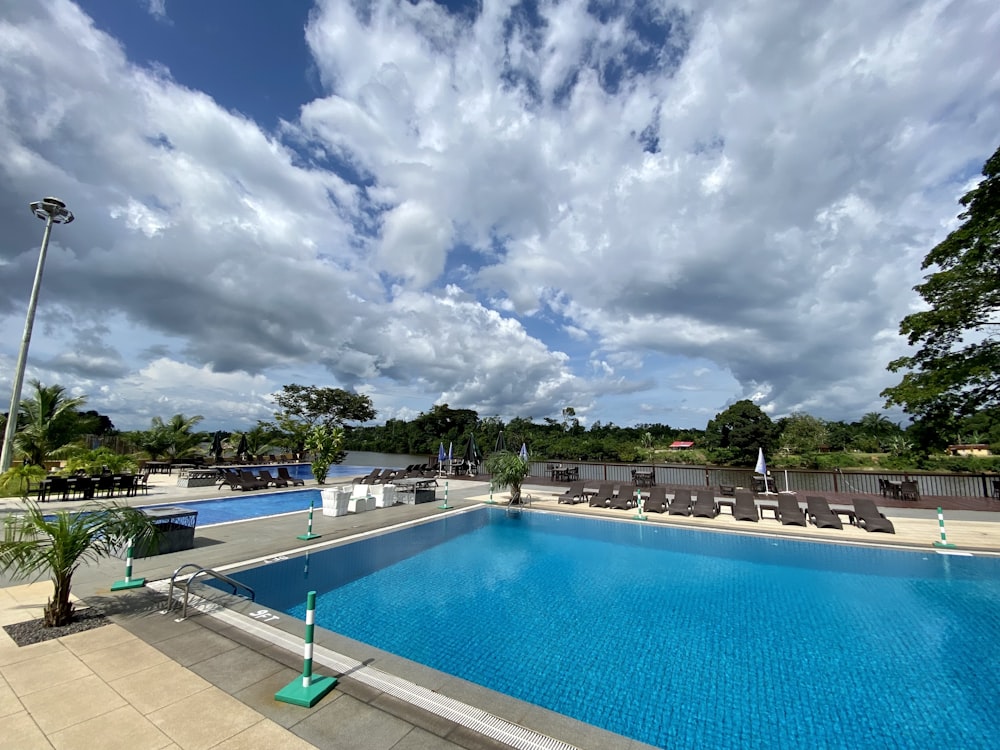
(642, 210)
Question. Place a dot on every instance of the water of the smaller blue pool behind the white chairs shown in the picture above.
(242, 506)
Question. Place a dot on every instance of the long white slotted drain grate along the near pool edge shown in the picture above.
(440, 705)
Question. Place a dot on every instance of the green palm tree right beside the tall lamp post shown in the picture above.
(49, 421)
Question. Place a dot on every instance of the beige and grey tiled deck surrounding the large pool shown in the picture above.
(148, 681)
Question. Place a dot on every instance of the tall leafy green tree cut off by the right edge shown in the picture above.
(953, 373)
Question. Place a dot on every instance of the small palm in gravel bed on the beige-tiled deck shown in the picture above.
(34, 545)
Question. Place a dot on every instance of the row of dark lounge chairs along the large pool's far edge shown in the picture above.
(702, 503)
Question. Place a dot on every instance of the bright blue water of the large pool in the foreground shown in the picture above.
(676, 637)
